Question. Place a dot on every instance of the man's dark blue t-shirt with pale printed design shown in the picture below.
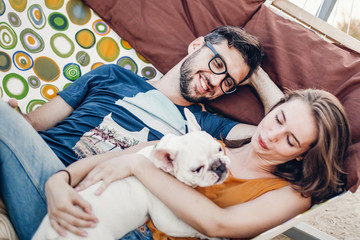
(116, 109)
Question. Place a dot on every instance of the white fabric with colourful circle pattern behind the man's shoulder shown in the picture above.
(46, 45)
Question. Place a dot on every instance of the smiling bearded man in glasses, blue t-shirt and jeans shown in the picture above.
(109, 109)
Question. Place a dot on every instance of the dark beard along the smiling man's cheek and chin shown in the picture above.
(185, 79)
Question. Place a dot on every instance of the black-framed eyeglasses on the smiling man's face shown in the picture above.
(217, 65)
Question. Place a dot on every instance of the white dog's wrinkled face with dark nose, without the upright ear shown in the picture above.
(196, 158)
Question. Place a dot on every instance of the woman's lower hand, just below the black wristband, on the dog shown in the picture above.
(67, 210)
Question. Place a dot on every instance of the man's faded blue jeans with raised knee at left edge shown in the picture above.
(26, 162)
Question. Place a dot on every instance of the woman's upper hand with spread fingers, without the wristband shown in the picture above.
(111, 170)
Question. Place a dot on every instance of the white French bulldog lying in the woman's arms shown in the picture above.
(194, 158)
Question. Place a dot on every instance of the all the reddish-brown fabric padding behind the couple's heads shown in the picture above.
(295, 57)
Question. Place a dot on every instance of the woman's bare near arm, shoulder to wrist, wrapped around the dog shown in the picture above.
(243, 220)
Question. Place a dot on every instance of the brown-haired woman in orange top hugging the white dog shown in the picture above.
(294, 159)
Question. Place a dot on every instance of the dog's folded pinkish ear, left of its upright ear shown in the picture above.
(163, 159)
